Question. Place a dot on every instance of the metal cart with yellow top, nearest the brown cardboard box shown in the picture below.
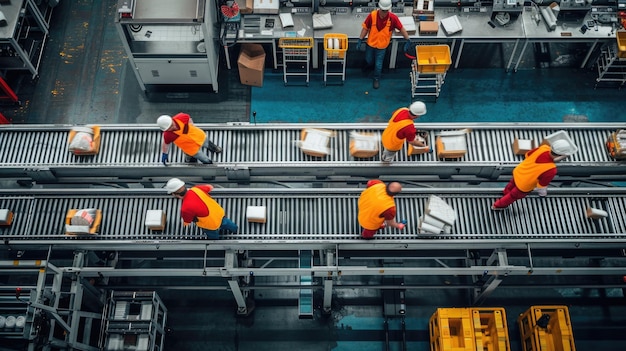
(296, 57)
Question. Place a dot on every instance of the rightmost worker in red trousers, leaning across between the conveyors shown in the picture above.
(535, 172)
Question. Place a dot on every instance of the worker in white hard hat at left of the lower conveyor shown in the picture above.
(200, 208)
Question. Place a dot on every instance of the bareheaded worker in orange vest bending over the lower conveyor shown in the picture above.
(377, 207)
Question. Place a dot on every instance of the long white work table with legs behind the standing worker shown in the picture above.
(475, 29)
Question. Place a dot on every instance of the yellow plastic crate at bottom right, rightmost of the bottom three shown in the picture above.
(557, 336)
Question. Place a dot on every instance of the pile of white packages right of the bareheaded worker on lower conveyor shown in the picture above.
(438, 217)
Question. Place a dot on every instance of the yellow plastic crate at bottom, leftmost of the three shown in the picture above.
(451, 330)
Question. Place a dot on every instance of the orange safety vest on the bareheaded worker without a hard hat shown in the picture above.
(373, 202)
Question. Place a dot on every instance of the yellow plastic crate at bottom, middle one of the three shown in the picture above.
(490, 329)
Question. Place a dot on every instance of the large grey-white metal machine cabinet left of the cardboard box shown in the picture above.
(170, 48)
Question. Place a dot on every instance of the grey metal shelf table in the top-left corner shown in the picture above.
(23, 40)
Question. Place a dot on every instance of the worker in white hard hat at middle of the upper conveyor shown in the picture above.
(401, 128)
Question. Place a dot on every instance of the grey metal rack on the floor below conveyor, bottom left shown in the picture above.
(134, 321)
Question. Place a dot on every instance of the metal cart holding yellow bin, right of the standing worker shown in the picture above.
(428, 69)
